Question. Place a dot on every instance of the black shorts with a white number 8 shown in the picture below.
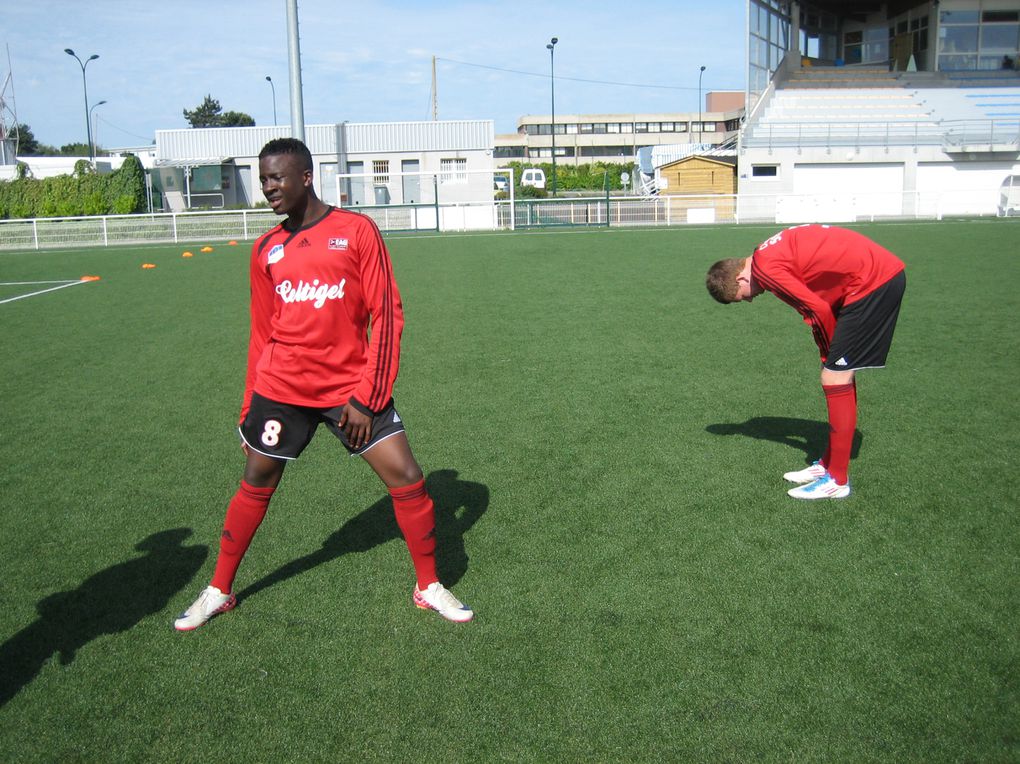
(283, 431)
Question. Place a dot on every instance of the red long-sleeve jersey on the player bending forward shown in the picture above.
(819, 270)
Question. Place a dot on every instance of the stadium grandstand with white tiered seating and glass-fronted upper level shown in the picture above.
(860, 111)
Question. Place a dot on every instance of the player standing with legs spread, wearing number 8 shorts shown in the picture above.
(319, 282)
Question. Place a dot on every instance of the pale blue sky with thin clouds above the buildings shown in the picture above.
(368, 62)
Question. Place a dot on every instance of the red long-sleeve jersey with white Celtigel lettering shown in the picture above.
(314, 293)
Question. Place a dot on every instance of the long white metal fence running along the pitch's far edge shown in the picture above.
(506, 215)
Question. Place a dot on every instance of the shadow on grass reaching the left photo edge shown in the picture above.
(112, 601)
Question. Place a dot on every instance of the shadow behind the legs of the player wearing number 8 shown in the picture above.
(460, 504)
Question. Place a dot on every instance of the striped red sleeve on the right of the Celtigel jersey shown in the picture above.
(387, 321)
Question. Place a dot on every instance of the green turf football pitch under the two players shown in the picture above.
(605, 446)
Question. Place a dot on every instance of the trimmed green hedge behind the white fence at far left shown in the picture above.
(83, 193)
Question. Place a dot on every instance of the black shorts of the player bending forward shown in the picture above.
(864, 330)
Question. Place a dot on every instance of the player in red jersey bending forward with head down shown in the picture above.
(849, 291)
